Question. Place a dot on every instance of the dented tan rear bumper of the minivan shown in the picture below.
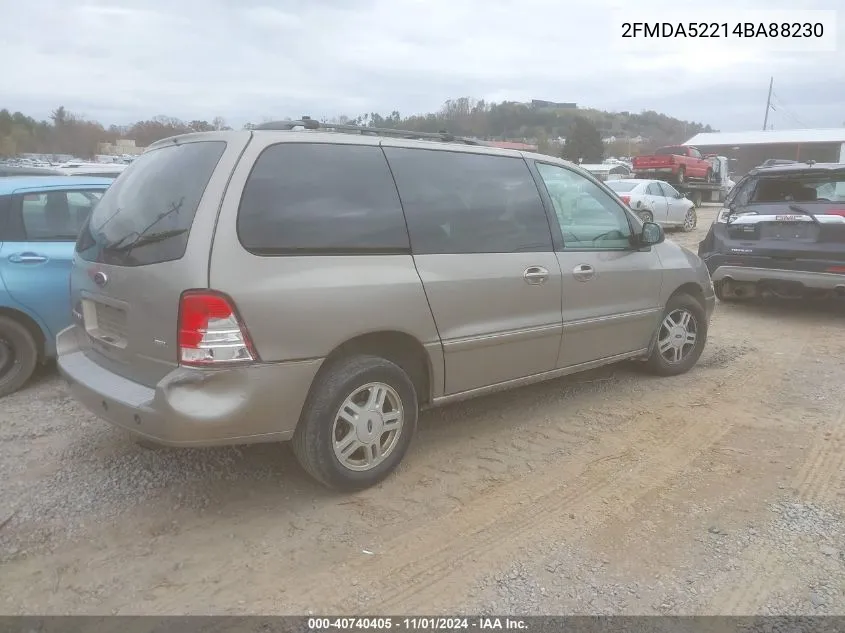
(192, 407)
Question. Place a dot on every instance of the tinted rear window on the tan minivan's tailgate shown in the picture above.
(145, 216)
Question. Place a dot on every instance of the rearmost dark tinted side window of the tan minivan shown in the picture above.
(321, 198)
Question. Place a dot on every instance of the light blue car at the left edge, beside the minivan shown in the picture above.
(40, 218)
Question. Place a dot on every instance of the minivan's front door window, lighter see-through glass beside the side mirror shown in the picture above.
(589, 217)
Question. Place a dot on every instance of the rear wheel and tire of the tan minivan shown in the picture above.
(321, 422)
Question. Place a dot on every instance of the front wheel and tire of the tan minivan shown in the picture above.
(657, 362)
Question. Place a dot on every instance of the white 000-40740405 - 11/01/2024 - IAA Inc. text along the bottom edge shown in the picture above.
(416, 623)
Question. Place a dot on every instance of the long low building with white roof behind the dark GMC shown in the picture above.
(750, 149)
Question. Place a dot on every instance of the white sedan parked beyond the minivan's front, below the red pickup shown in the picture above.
(656, 201)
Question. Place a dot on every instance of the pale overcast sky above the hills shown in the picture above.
(118, 61)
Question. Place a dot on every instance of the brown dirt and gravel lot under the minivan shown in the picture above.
(718, 492)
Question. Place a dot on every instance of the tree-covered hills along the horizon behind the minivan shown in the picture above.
(583, 129)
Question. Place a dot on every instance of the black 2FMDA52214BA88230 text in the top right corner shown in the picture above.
(784, 30)
